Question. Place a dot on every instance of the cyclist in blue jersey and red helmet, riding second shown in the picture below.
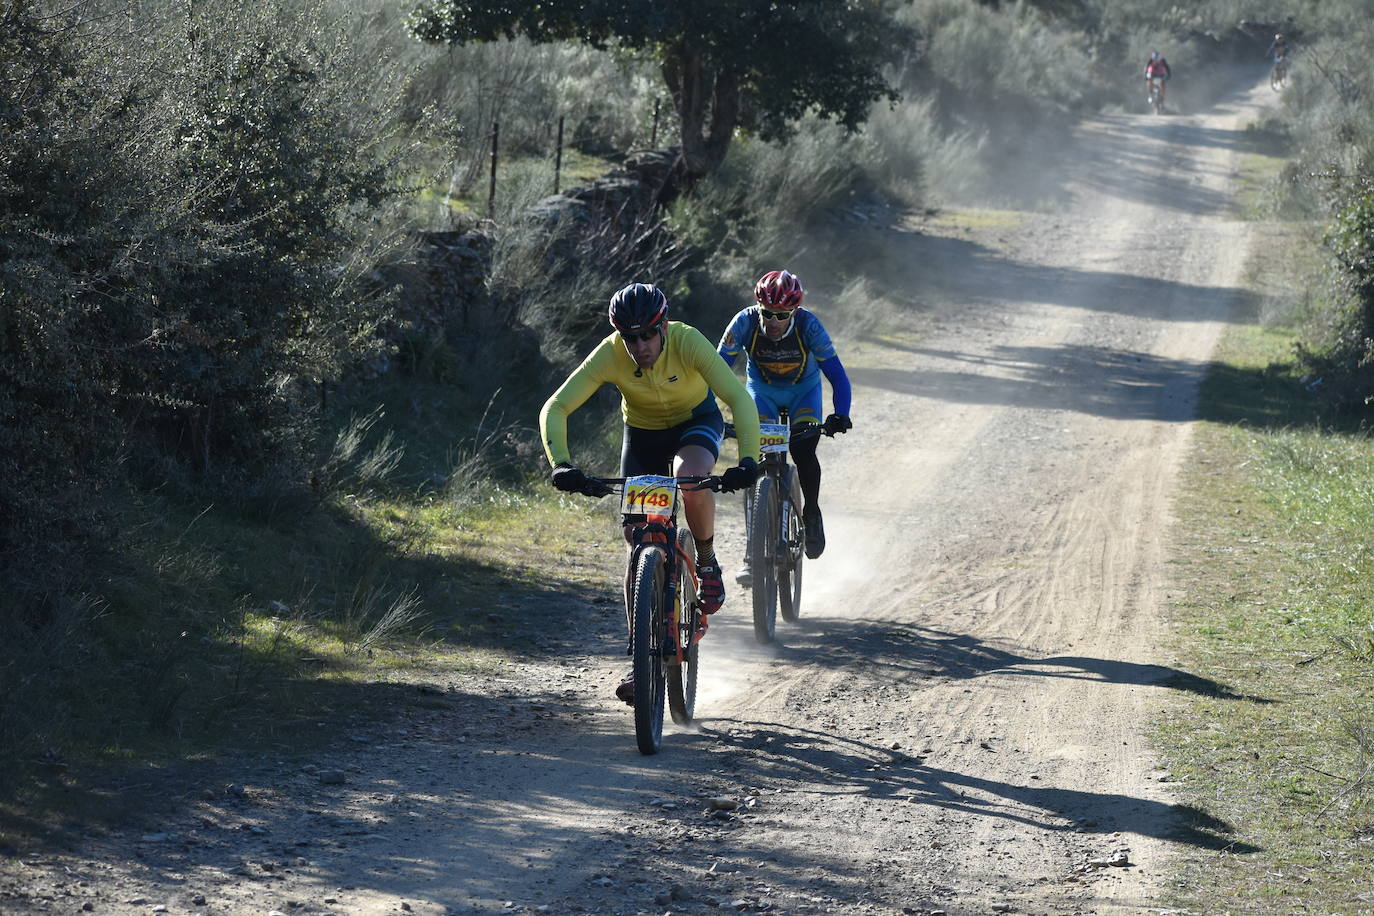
(788, 351)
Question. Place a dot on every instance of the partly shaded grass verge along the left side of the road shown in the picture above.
(377, 606)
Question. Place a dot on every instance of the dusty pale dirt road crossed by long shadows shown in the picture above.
(958, 723)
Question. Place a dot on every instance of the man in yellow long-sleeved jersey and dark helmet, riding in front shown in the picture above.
(668, 376)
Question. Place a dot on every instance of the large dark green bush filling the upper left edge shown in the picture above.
(190, 215)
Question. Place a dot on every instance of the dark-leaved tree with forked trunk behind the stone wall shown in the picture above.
(728, 64)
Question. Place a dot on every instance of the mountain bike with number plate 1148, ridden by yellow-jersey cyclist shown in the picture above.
(666, 620)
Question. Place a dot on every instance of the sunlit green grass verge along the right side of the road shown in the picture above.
(1274, 601)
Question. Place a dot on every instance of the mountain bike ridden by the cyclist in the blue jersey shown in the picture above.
(777, 536)
